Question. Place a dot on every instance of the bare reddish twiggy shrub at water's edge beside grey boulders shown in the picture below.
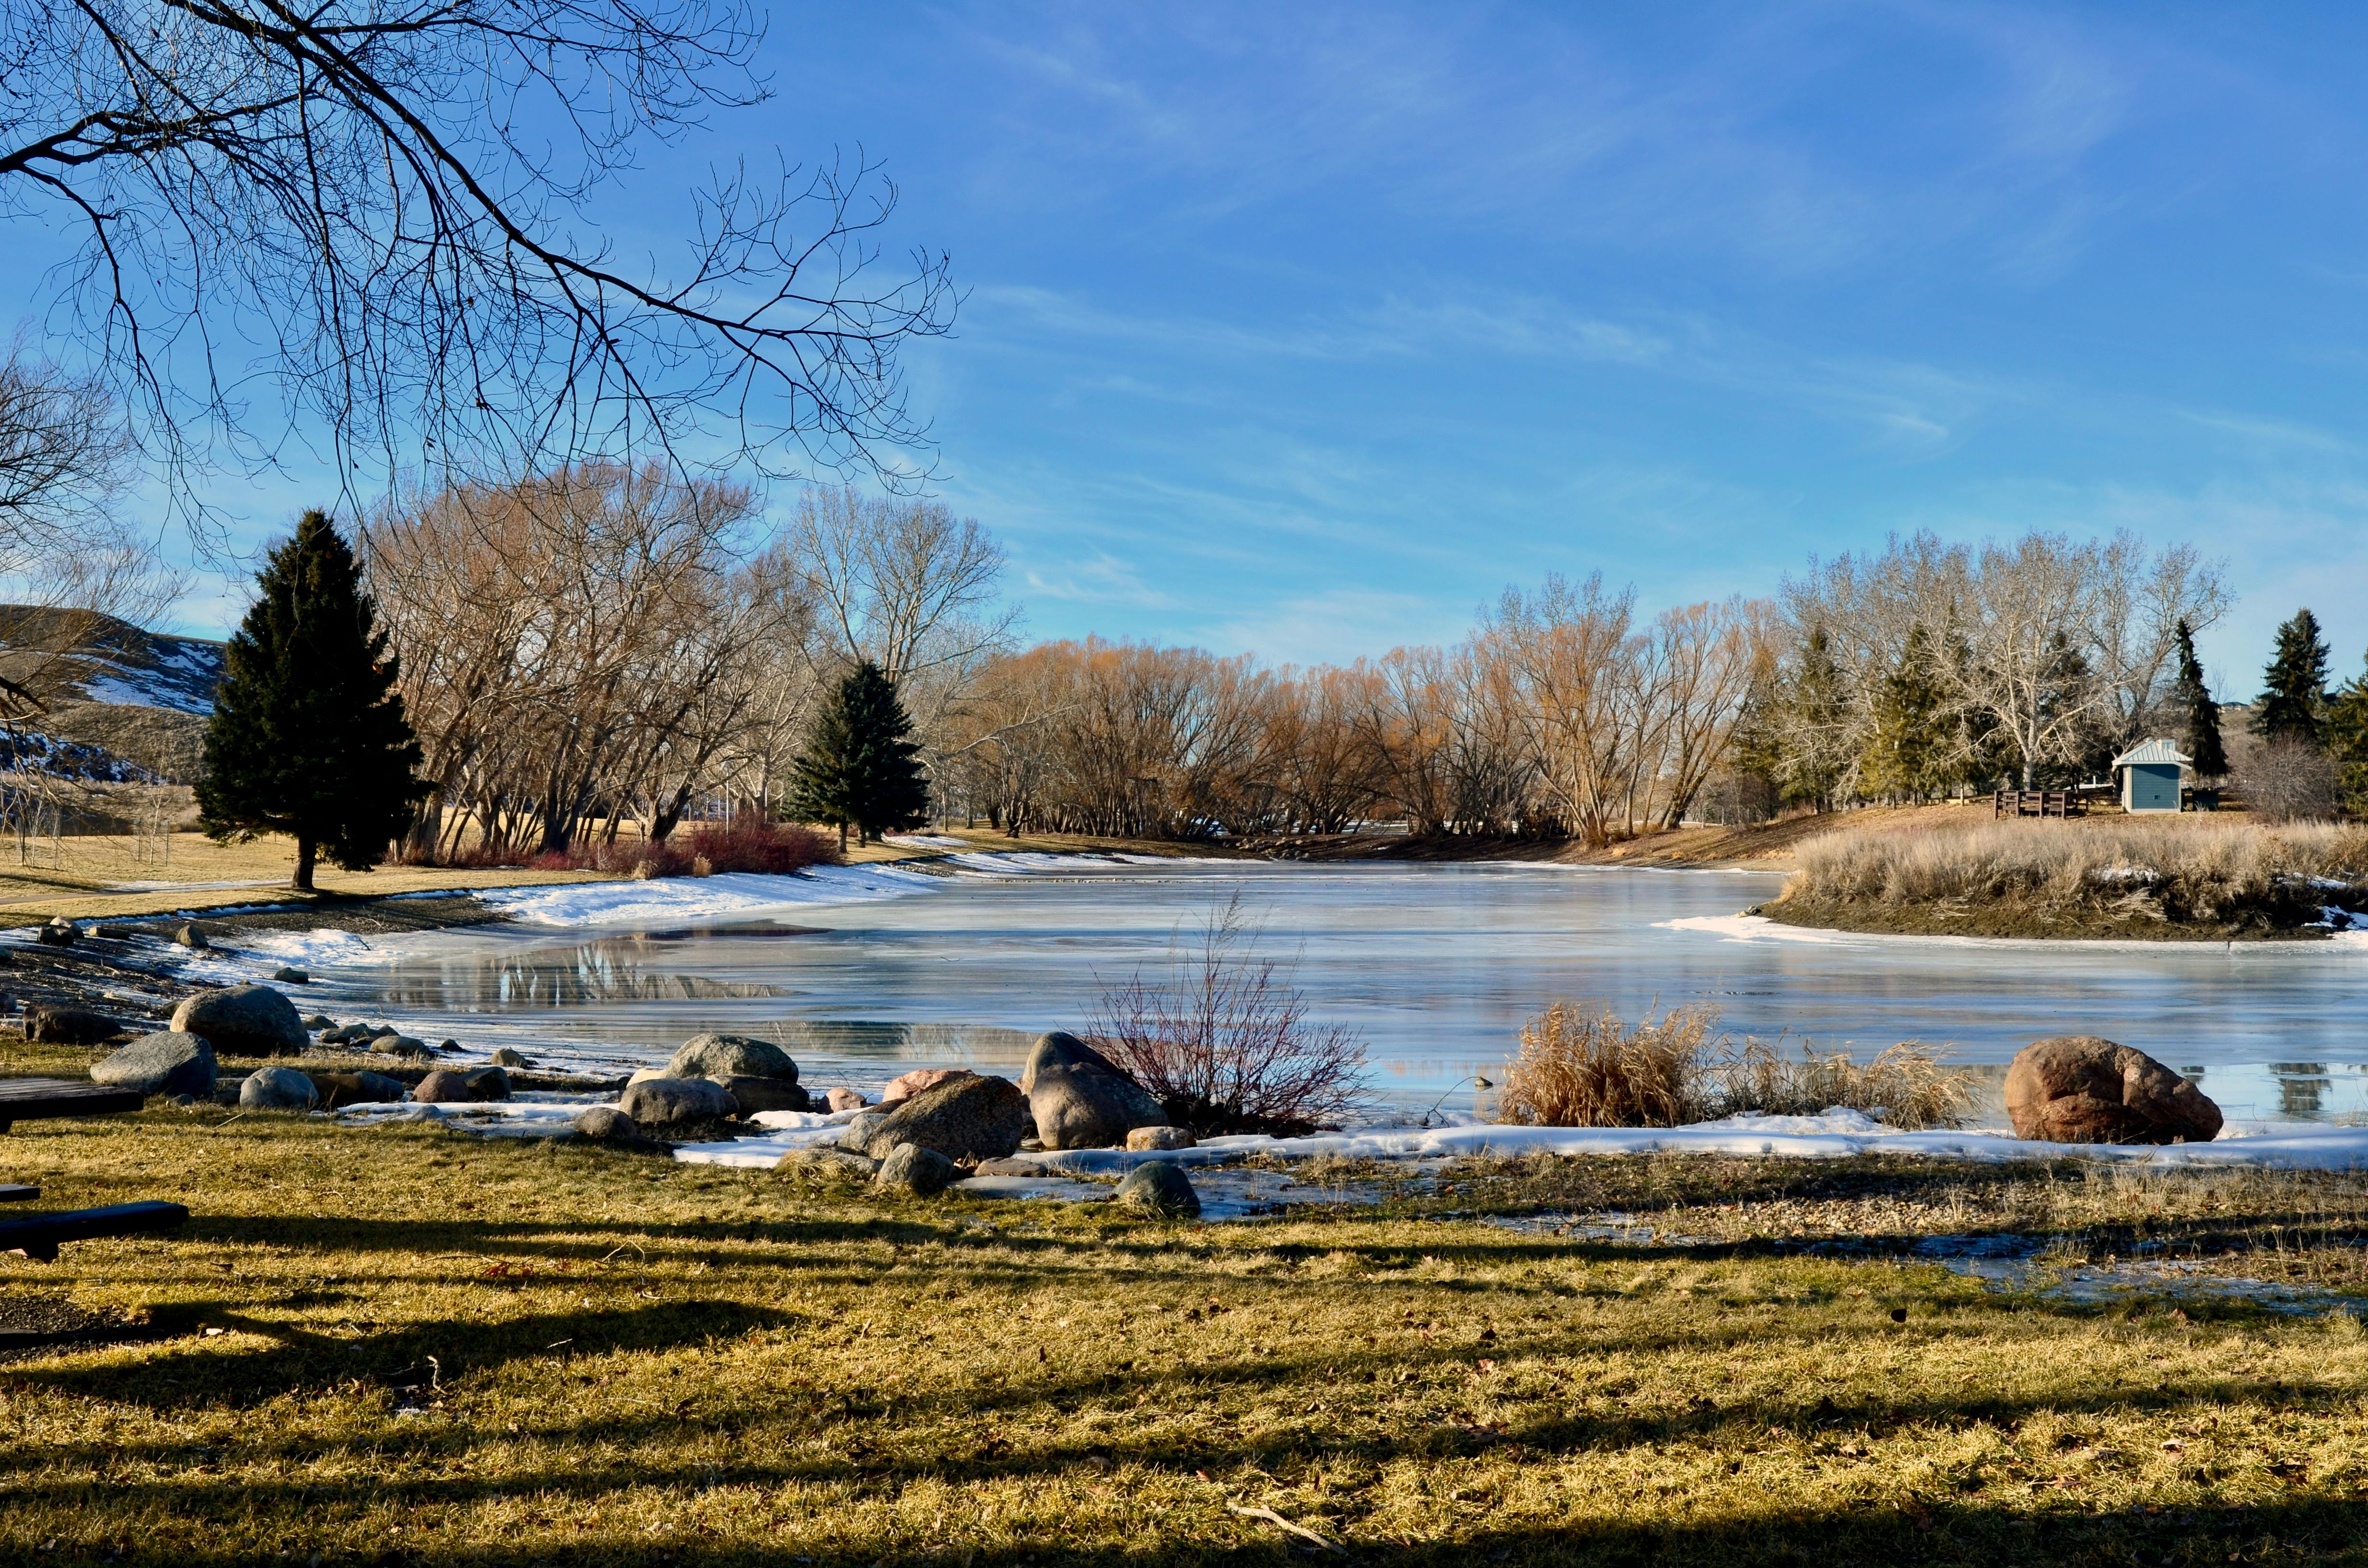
(1225, 1041)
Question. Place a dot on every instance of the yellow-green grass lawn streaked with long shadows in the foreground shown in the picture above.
(420, 1347)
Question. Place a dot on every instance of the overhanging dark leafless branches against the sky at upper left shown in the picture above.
(397, 203)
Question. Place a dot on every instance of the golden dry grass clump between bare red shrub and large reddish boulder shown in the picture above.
(1583, 1067)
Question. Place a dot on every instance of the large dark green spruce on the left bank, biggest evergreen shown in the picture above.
(309, 733)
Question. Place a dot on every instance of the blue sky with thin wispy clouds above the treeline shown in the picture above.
(1304, 330)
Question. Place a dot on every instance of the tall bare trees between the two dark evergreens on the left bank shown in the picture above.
(610, 643)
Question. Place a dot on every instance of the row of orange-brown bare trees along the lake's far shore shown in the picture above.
(1564, 714)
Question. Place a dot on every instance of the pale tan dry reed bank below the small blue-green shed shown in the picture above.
(2175, 868)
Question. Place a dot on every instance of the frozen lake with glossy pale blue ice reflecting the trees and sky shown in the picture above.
(1436, 965)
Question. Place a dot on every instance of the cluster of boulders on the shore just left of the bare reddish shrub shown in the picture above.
(937, 1126)
